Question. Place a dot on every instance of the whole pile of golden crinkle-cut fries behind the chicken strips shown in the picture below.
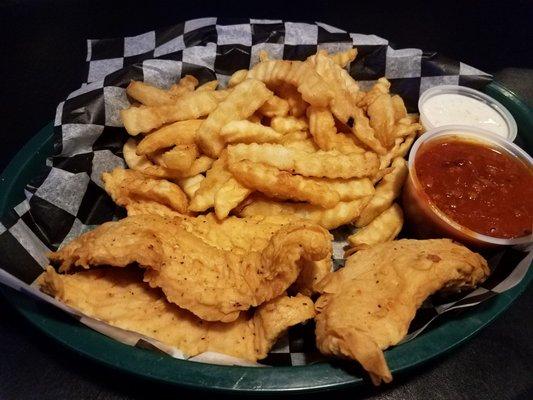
(285, 137)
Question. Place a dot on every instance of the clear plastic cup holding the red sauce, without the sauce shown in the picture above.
(425, 219)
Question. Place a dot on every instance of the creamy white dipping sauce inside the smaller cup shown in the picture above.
(456, 109)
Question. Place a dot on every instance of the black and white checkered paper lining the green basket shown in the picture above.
(67, 197)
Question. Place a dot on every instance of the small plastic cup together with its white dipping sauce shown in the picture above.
(461, 105)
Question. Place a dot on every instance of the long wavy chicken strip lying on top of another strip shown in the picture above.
(212, 283)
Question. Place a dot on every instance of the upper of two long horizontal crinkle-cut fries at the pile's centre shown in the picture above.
(329, 164)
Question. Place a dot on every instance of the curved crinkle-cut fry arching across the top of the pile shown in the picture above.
(297, 73)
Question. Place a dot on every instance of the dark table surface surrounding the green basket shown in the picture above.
(42, 50)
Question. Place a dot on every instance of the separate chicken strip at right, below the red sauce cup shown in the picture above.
(368, 305)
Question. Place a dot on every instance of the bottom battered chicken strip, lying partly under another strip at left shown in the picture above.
(120, 298)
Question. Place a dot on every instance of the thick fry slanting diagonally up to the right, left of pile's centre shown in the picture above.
(242, 102)
